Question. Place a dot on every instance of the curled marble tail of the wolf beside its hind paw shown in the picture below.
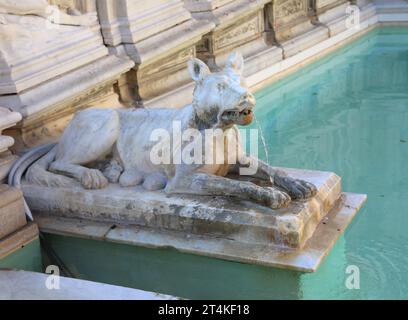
(38, 172)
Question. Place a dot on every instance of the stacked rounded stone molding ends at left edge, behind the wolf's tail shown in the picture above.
(7, 120)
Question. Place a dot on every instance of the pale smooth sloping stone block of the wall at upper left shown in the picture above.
(52, 53)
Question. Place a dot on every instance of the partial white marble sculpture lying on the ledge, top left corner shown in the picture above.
(43, 9)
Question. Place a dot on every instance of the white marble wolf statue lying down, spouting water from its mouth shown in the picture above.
(122, 138)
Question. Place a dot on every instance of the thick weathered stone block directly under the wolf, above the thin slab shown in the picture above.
(220, 217)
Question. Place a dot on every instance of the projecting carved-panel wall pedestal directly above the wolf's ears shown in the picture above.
(238, 25)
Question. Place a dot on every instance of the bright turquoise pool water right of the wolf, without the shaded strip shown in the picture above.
(348, 113)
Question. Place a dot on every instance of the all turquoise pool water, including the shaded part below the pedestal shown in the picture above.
(346, 113)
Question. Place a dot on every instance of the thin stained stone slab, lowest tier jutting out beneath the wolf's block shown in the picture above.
(306, 260)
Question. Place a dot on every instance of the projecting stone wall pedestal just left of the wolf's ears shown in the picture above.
(160, 37)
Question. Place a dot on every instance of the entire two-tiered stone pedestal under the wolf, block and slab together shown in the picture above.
(297, 237)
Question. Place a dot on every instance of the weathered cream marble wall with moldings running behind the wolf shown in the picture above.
(137, 53)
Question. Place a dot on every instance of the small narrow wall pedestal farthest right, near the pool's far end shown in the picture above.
(333, 14)
